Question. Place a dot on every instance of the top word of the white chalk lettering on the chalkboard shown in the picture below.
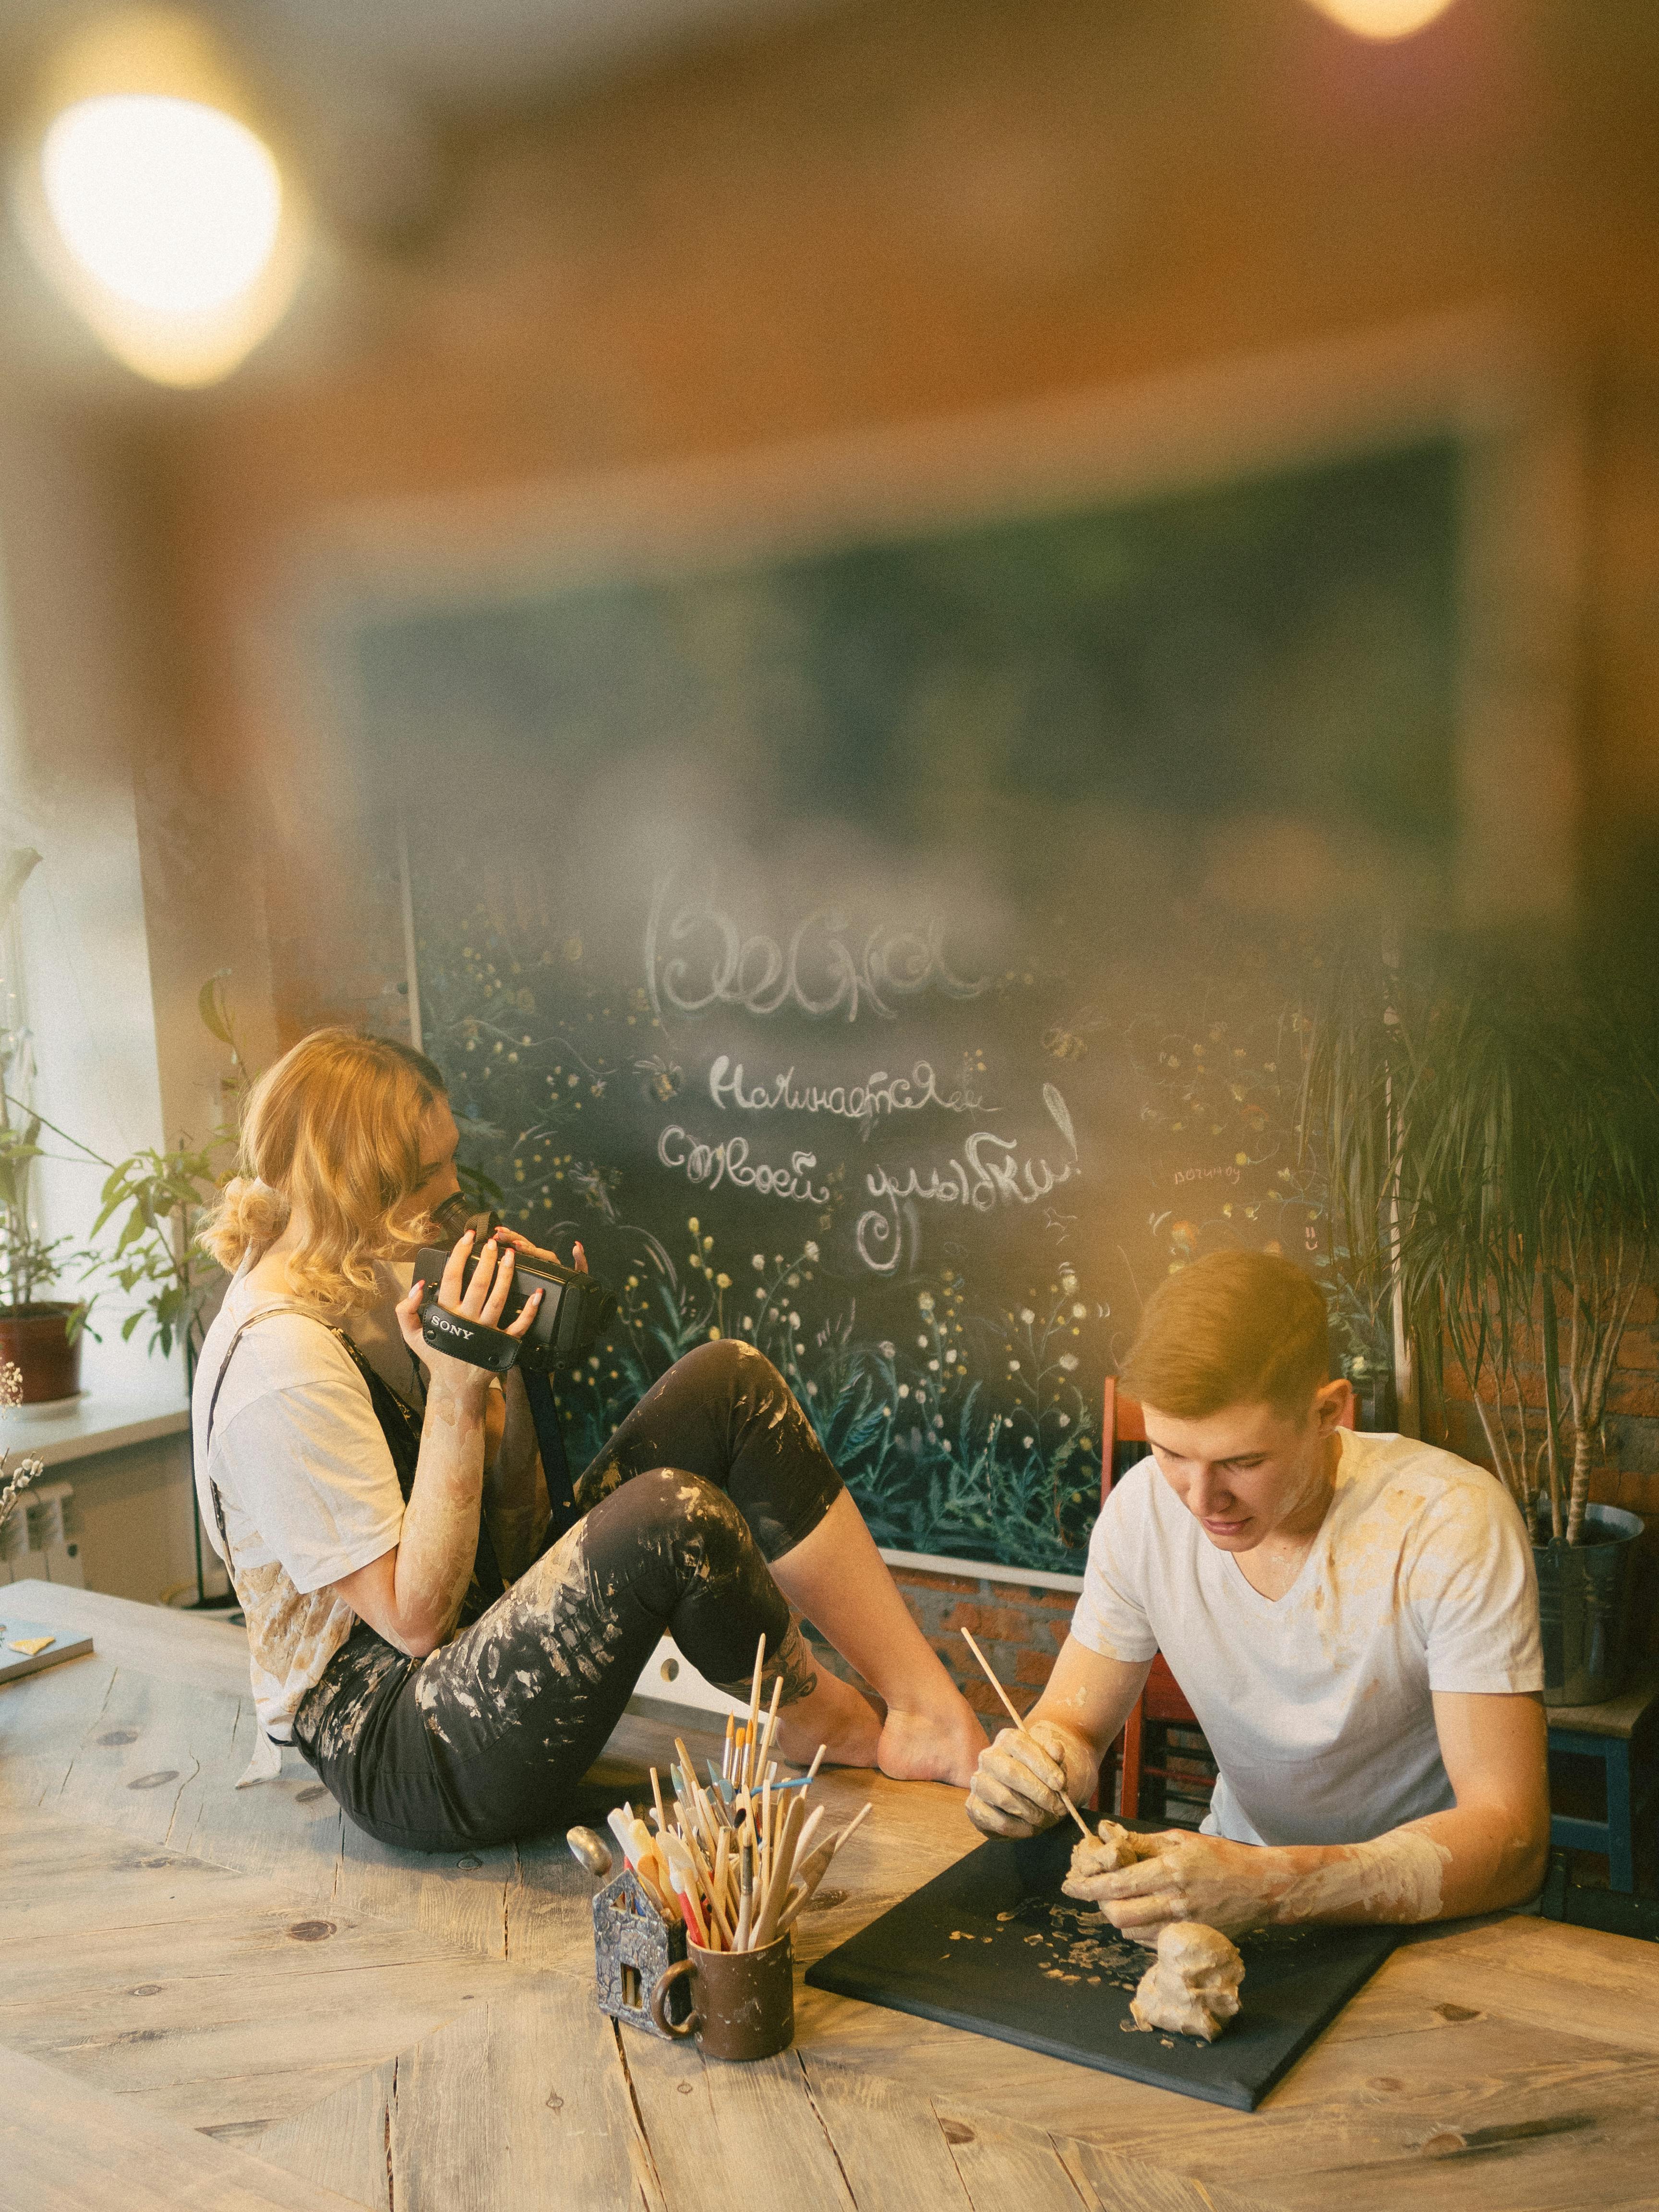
(824, 970)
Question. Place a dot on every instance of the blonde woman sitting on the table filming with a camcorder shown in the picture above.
(384, 1514)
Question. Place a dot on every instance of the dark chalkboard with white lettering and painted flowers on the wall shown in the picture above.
(833, 939)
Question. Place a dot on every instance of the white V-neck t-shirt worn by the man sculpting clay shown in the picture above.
(1317, 1704)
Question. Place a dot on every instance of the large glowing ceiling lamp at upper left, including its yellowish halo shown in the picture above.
(156, 205)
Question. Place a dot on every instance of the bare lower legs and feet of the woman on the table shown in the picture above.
(842, 1585)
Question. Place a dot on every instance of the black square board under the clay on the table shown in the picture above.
(992, 1945)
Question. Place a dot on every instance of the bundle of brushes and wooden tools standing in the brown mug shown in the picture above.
(740, 1859)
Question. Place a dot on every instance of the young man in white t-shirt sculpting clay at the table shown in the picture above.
(1353, 1620)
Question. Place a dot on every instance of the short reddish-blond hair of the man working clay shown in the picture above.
(1235, 1328)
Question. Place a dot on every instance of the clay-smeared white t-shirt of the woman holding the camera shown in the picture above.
(304, 1477)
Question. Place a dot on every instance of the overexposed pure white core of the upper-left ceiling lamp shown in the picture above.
(169, 205)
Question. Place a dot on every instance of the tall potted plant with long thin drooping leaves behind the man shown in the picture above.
(1490, 1125)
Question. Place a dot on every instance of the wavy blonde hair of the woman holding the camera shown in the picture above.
(335, 1131)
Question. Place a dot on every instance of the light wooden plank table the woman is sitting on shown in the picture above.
(227, 1999)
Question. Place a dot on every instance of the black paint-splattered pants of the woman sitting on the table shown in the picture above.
(711, 1477)
